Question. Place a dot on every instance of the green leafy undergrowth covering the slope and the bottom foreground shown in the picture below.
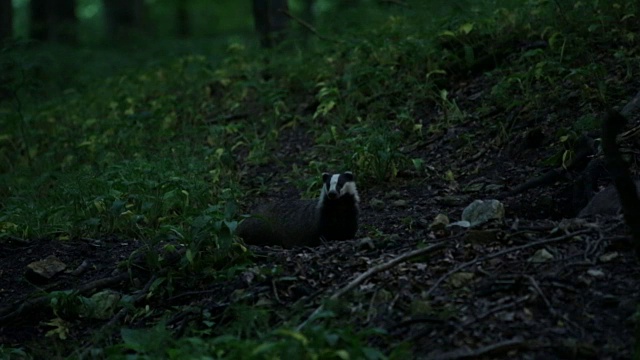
(167, 152)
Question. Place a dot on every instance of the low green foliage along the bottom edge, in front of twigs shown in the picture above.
(315, 342)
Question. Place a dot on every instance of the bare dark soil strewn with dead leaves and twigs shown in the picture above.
(476, 294)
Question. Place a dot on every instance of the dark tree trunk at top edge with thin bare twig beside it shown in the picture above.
(270, 20)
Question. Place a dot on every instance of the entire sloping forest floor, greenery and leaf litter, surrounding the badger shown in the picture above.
(130, 186)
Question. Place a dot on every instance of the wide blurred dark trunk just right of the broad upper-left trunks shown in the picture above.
(123, 16)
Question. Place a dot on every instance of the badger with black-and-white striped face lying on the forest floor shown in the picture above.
(334, 216)
